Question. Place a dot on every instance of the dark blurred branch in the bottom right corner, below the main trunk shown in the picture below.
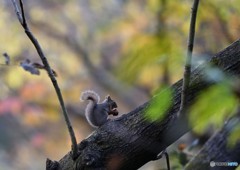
(216, 150)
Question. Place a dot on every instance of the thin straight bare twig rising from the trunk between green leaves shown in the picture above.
(187, 72)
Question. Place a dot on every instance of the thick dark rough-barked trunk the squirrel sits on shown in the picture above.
(131, 141)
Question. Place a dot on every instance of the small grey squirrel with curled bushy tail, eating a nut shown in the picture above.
(97, 113)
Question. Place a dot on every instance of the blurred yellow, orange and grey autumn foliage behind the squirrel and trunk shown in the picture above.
(127, 49)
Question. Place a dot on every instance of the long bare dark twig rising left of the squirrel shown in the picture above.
(23, 22)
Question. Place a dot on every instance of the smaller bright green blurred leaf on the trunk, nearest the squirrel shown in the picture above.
(159, 105)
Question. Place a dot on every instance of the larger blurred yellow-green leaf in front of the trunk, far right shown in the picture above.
(213, 106)
